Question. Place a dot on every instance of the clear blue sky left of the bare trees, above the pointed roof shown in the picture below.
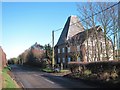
(23, 24)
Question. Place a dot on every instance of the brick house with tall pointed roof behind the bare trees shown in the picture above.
(77, 44)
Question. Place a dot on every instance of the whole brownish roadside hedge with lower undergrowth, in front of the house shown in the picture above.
(103, 71)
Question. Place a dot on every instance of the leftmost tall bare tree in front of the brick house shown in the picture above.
(89, 20)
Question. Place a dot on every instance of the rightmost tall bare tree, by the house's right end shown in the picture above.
(108, 23)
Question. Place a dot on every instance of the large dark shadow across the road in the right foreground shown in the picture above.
(67, 82)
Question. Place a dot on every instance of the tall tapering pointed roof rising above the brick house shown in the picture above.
(71, 28)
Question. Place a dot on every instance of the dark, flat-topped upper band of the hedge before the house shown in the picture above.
(95, 67)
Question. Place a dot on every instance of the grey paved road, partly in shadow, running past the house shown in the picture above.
(32, 78)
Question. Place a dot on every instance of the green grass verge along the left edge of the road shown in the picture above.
(7, 81)
